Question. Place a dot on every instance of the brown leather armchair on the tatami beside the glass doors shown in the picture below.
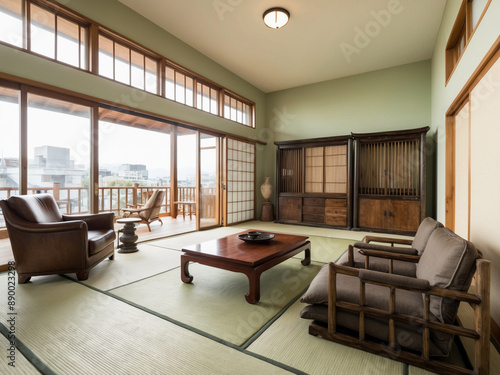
(46, 242)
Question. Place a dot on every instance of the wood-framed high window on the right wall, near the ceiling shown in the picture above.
(460, 35)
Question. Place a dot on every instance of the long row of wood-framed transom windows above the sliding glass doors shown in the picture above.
(51, 30)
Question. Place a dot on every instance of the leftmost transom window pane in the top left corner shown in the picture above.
(11, 22)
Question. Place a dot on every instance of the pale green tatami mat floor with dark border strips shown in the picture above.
(79, 328)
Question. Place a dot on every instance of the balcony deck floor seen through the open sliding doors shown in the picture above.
(170, 227)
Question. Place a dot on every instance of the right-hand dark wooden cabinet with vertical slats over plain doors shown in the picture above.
(389, 187)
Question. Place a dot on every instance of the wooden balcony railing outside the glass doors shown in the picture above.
(75, 200)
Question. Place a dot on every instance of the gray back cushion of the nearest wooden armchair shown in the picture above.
(447, 262)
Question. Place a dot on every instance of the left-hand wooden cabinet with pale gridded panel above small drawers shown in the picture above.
(314, 181)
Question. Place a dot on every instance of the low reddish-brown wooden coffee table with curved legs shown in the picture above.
(251, 258)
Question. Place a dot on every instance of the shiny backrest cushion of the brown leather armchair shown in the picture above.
(41, 209)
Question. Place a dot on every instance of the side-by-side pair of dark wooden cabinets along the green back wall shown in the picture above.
(372, 181)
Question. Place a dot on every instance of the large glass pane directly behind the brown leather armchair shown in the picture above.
(59, 151)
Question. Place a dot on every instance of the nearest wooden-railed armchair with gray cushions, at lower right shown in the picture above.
(414, 314)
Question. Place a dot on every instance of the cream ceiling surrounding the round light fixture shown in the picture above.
(324, 39)
